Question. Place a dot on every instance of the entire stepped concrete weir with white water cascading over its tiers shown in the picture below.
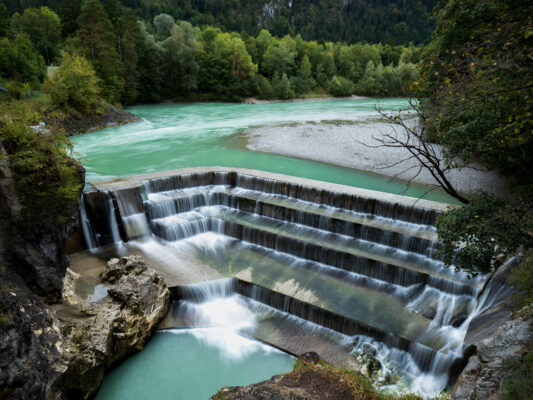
(326, 266)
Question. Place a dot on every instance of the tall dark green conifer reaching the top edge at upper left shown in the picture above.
(97, 39)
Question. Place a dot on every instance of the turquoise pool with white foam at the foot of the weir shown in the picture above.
(189, 365)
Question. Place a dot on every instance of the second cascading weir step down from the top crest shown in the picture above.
(407, 236)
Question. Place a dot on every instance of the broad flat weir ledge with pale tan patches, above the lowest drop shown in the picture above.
(361, 300)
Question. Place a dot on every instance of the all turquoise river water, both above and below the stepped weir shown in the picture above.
(195, 363)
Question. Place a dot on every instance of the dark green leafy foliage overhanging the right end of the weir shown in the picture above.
(477, 236)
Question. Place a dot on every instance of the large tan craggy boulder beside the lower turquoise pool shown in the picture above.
(107, 331)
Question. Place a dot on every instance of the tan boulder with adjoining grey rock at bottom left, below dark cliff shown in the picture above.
(65, 354)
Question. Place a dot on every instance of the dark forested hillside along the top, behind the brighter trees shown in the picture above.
(385, 21)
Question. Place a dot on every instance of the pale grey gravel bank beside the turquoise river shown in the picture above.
(353, 144)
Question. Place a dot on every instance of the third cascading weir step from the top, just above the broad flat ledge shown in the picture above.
(315, 245)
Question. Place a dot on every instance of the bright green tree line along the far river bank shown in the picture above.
(147, 61)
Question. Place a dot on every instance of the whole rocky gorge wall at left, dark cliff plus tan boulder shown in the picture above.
(61, 351)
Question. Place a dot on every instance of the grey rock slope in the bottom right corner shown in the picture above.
(498, 356)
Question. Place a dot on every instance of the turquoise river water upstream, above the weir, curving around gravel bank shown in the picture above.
(175, 136)
